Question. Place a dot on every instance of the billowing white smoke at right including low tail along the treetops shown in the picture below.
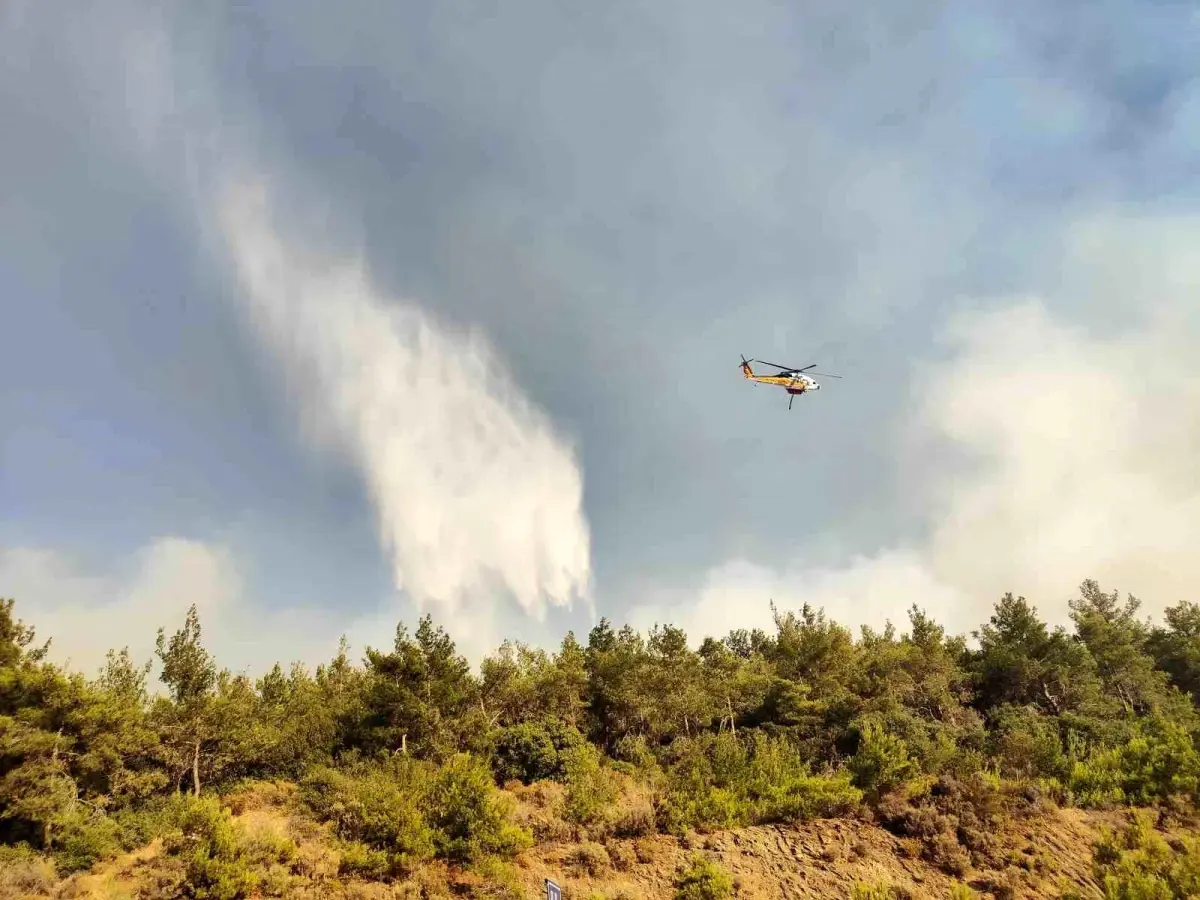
(1042, 453)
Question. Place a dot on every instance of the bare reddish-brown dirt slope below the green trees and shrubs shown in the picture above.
(823, 860)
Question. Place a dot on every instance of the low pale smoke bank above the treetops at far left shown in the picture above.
(86, 609)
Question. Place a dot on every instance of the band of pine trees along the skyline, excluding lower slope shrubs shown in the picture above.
(751, 727)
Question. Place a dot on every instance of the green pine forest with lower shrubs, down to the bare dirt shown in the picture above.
(411, 760)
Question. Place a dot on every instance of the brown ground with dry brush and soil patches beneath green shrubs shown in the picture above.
(1033, 859)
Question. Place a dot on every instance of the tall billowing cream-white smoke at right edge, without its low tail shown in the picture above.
(1084, 446)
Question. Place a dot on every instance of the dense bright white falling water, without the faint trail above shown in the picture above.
(476, 493)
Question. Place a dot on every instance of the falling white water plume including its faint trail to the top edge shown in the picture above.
(478, 499)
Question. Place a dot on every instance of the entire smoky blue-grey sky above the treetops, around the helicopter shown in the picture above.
(323, 320)
